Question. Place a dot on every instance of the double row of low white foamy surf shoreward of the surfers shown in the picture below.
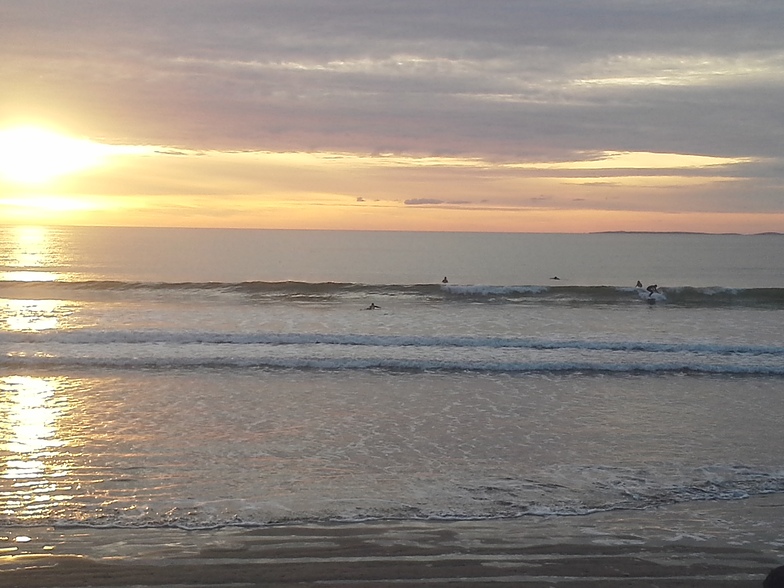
(135, 349)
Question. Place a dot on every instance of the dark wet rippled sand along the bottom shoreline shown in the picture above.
(716, 544)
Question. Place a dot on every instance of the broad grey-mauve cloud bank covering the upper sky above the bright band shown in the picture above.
(435, 77)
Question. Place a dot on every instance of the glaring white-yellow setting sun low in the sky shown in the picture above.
(34, 155)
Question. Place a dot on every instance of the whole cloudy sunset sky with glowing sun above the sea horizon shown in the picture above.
(427, 115)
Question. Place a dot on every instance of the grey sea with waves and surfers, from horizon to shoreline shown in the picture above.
(208, 378)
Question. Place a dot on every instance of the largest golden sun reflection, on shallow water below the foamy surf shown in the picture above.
(32, 457)
